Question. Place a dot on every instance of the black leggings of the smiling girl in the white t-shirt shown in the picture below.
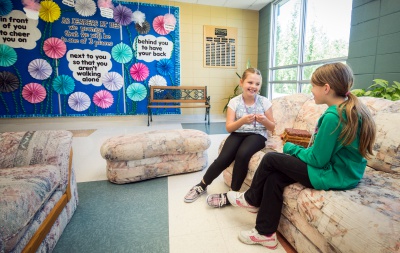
(238, 147)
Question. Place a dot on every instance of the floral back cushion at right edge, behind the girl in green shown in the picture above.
(387, 145)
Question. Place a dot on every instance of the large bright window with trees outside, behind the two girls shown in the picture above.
(305, 35)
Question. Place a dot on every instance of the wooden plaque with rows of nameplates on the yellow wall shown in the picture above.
(220, 46)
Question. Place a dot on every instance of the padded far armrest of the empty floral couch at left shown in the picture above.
(37, 147)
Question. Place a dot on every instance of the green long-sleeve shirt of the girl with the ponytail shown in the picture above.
(330, 164)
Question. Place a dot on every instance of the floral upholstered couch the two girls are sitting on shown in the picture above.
(365, 219)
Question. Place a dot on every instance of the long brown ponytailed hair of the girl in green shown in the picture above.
(339, 76)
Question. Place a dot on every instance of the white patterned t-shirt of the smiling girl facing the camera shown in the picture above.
(261, 105)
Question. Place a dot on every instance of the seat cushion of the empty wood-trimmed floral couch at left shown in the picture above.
(23, 192)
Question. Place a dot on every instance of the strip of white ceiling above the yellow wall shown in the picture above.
(239, 4)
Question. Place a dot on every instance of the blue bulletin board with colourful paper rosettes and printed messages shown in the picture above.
(85, 57)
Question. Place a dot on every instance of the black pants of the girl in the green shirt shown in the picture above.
(275, 172)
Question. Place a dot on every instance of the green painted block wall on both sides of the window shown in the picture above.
(374, 47)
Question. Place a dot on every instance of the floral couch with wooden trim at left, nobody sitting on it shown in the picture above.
(38, 193)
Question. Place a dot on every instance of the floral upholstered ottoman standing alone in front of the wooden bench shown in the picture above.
(146, 155)
